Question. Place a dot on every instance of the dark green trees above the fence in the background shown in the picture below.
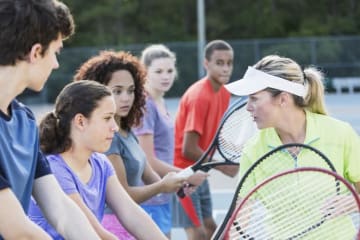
(114, 22)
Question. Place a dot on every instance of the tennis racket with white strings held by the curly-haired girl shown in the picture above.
(235, 129)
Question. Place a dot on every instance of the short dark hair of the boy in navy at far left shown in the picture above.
(24, 23)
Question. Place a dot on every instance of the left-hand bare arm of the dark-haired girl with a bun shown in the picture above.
(100, 230)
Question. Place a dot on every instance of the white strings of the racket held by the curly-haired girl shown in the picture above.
(235, 131)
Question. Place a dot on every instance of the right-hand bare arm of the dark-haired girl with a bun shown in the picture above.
(131, 216)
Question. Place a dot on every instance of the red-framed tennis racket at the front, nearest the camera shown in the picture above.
(303, 203)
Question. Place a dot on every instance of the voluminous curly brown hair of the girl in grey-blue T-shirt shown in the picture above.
(100, 69)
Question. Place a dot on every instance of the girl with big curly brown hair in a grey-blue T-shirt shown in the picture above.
(125, 76)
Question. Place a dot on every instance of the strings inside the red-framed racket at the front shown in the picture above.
(295, 211)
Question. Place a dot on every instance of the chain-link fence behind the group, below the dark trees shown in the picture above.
(336, 56)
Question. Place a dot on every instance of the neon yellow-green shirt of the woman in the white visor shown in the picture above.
(334, 138)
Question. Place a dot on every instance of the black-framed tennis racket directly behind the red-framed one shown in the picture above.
(282, 158)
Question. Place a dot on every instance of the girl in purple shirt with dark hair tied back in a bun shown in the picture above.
(73, 136)
